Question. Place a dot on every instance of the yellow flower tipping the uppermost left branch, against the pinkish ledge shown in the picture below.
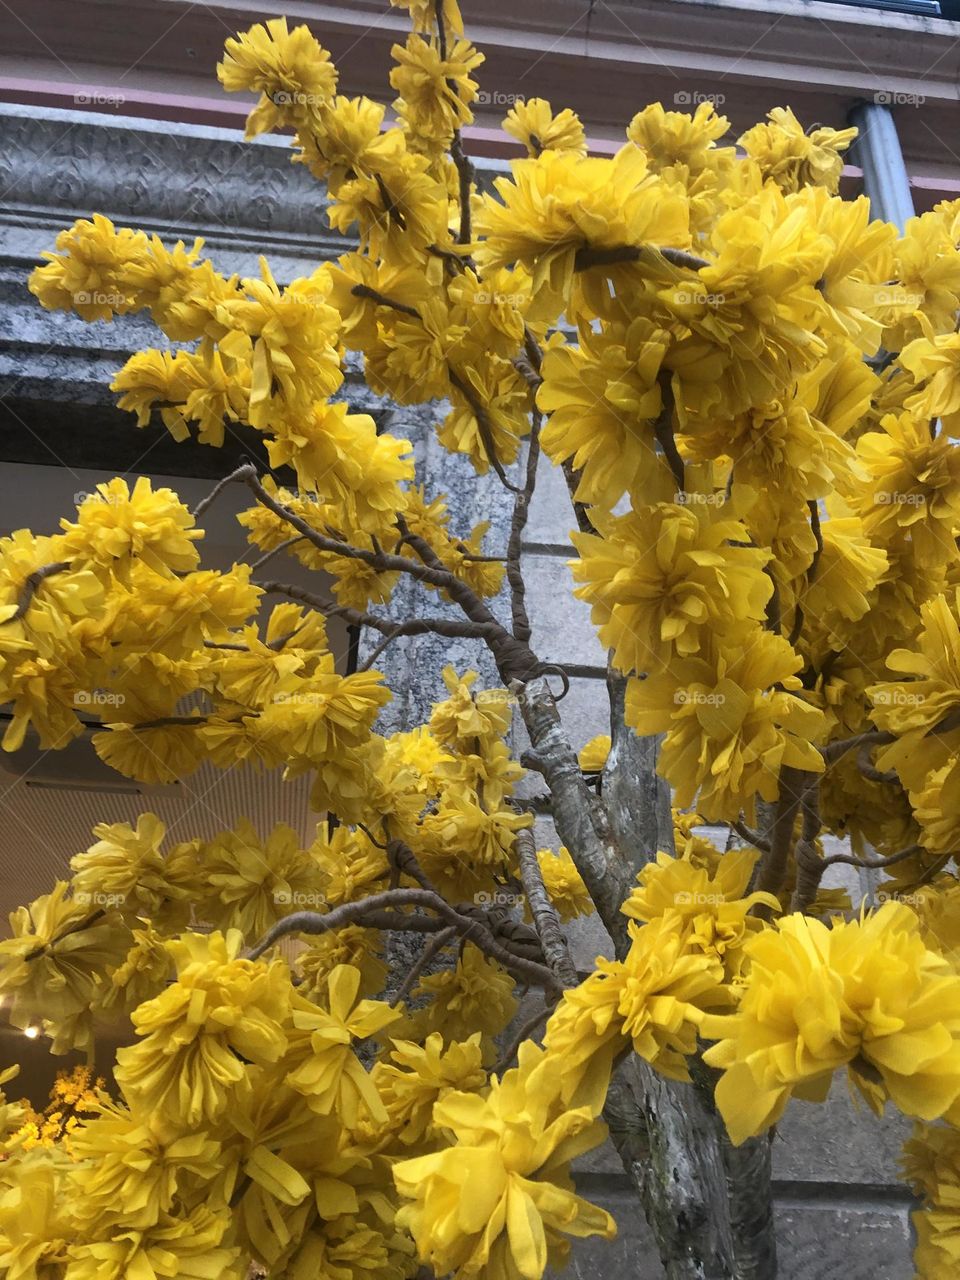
(290, 70)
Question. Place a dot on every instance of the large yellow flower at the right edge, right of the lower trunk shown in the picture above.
(867, 995)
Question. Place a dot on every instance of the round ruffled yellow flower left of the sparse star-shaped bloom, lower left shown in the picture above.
(220, 1014)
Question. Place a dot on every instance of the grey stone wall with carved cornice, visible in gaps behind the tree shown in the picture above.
(840, 1209)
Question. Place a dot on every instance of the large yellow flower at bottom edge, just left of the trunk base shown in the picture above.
(500, 1200)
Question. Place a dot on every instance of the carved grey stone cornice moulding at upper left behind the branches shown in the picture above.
(244, 198)
